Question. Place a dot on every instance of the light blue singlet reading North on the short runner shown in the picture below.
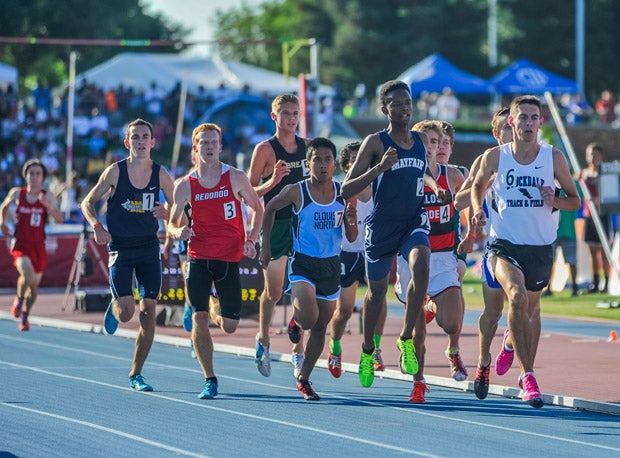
(317, 228)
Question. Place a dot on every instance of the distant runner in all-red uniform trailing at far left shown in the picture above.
(33, 205)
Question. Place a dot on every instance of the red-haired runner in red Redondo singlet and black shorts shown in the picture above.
(217, 241)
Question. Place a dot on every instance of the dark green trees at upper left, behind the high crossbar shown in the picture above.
(85, 19)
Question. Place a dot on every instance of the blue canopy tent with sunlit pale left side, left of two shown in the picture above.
(434, 73)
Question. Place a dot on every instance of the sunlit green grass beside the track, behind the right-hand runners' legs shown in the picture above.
(559, 304)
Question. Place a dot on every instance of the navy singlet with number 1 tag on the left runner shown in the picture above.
(129, 217)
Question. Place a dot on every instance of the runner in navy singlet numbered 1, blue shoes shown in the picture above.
(133, 187)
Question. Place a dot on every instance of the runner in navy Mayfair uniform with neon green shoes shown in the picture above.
(394, 161)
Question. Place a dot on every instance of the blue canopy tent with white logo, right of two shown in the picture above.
(524, 77)
